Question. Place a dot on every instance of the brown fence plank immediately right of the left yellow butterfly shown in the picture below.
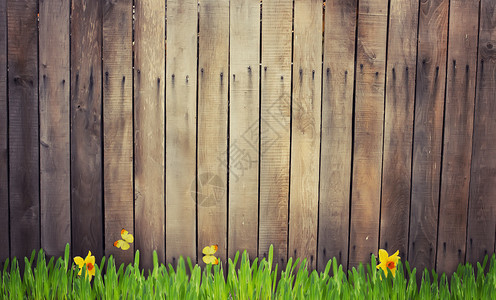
(149, 114)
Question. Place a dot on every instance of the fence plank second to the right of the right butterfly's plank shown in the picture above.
(275, 127)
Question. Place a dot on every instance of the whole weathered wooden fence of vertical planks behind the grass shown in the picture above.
(324, 128)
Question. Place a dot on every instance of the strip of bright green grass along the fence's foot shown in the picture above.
(256, 280)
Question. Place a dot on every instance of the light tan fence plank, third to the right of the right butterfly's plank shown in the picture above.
(305, 146)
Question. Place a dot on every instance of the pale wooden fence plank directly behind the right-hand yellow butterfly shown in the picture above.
(213, 81)
